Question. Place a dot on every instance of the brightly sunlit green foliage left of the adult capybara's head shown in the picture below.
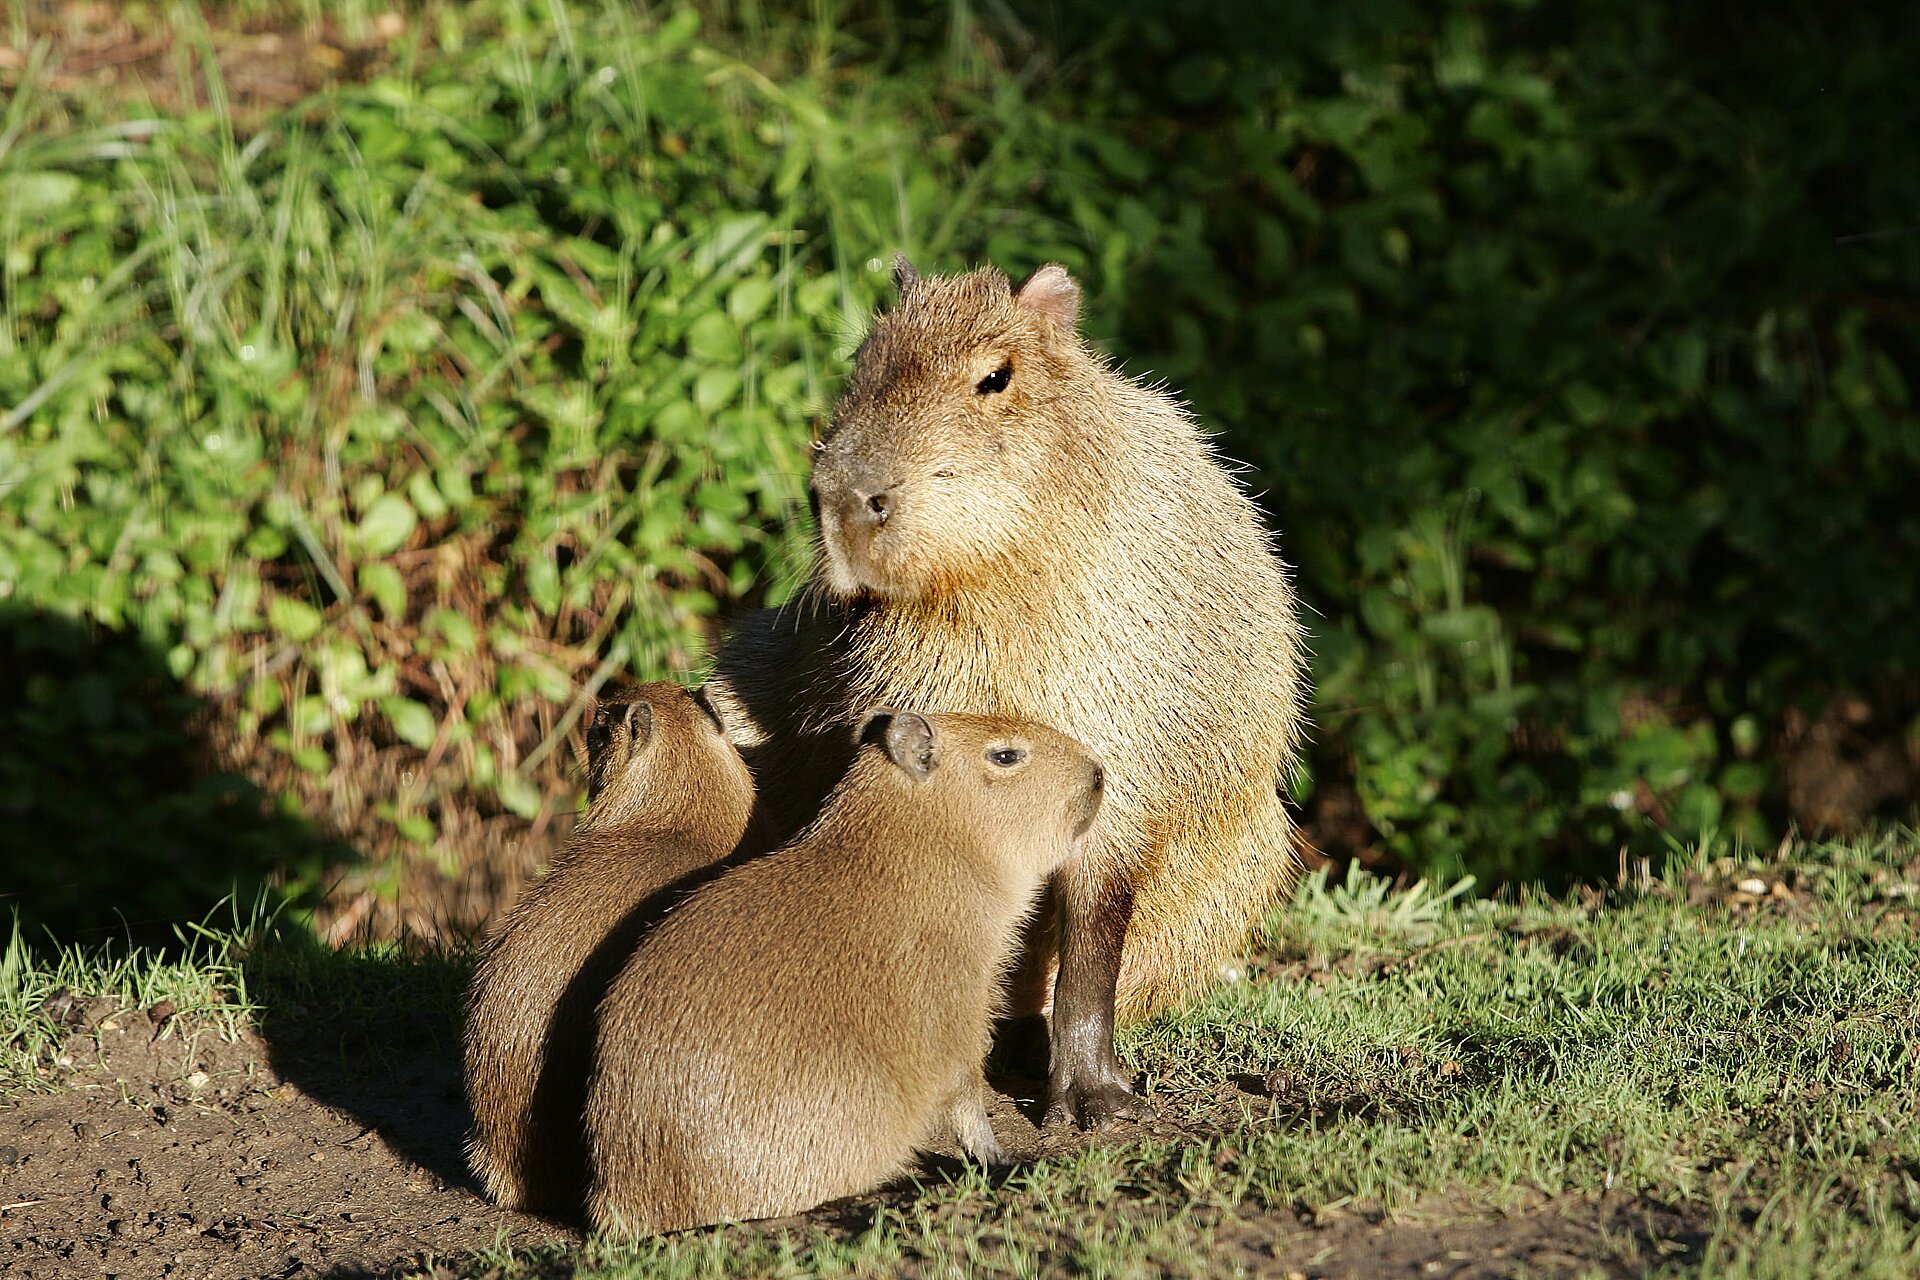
(402, 417)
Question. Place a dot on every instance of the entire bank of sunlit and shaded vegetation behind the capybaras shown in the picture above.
(379, 383)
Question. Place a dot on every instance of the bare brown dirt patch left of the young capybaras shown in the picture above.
(172, 1152)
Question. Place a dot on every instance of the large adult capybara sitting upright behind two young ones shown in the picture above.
(1011, 527)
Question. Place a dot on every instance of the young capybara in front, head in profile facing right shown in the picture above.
(800, 1028)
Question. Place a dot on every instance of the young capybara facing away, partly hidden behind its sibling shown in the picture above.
(667, 797)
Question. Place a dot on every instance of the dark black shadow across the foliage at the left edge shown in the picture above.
(120, 820)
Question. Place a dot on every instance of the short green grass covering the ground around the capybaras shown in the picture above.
(1744, 1068)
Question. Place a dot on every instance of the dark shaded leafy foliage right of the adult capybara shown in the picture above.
(1572, 389)
